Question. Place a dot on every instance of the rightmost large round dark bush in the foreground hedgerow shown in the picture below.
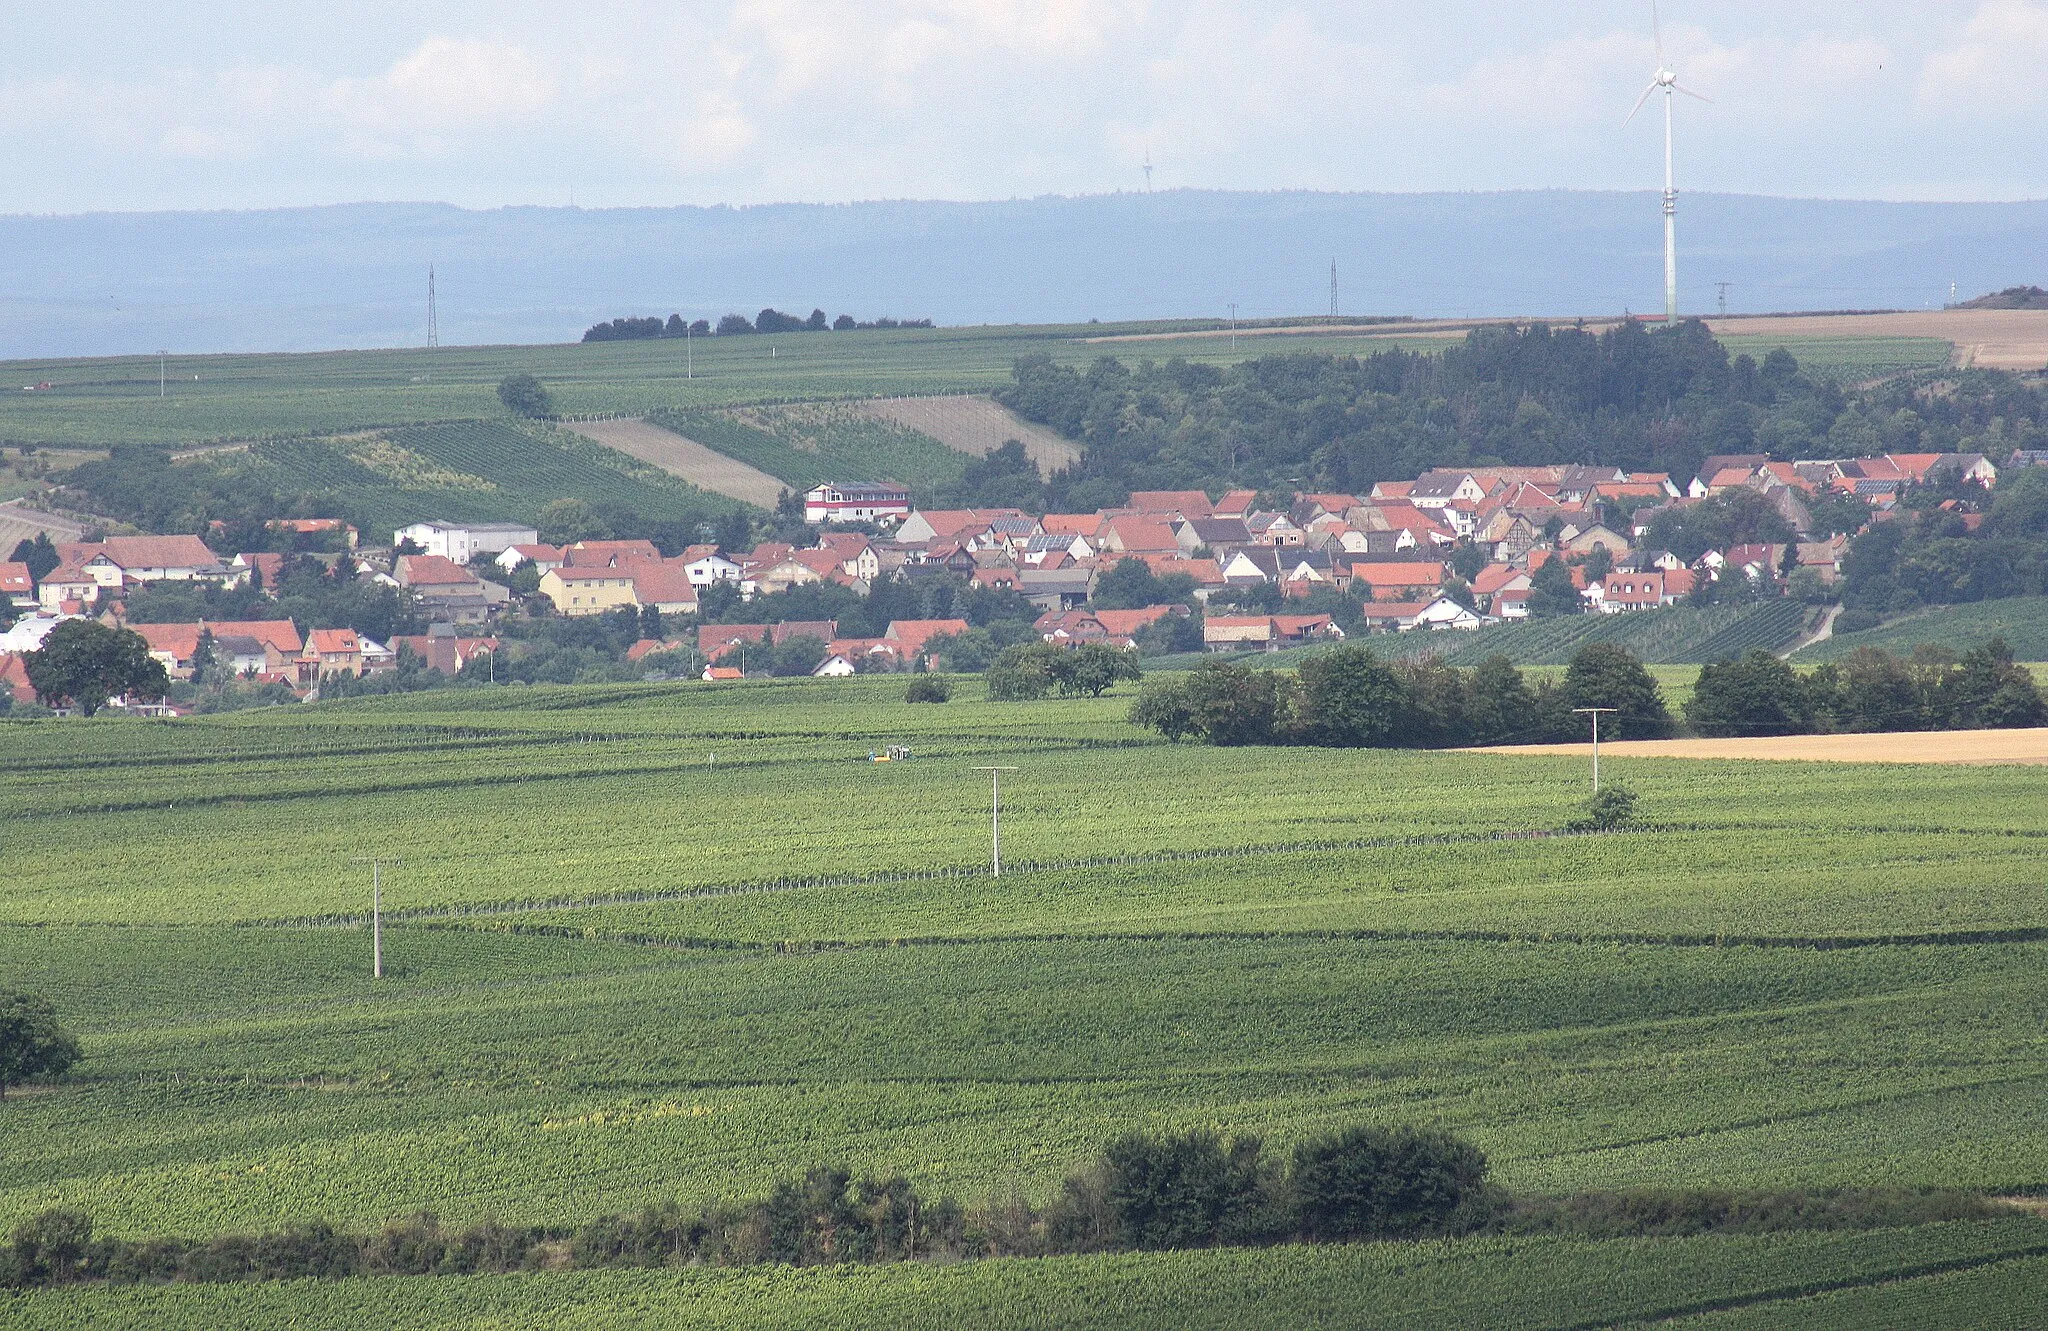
(1388, 1185)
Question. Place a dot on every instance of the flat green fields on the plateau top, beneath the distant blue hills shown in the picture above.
(288, 396)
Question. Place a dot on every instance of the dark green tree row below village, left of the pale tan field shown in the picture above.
(1347, 697)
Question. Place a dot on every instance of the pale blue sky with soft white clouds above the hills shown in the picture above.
(634, 103)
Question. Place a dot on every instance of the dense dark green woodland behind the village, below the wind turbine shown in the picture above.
(1525, 396)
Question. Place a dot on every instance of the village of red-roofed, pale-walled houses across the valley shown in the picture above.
(1447, 552)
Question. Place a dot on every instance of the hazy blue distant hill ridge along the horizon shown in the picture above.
(355, 275)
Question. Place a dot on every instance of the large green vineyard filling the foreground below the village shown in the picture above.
(677, 941)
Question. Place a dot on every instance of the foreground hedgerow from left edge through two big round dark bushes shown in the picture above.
(1146, 1193)
